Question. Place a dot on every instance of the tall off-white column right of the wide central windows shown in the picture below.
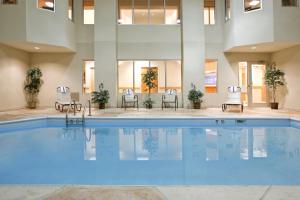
(193, 40)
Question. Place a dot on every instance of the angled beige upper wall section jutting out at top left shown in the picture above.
(49, 27)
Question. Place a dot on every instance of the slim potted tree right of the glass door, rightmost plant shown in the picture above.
(274, 78)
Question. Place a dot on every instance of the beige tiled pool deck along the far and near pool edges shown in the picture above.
(30, 192)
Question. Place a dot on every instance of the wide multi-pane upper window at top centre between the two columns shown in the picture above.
(149, 11)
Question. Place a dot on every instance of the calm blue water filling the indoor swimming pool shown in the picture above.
(151, 152)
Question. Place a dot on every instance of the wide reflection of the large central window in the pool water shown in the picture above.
(150, 144)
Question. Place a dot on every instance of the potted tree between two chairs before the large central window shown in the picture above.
(149, 79)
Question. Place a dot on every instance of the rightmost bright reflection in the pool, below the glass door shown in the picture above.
(259, 143)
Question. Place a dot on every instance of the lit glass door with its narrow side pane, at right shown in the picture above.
(252, 83)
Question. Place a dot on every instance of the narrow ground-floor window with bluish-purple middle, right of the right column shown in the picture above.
(211, 68)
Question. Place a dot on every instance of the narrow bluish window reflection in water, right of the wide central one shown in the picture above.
(212, 149)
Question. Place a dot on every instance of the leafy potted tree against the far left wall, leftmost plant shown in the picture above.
(32, 86)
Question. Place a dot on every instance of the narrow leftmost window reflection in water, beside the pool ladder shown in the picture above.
(89, 144)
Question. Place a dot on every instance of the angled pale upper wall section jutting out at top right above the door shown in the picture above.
(249, 28)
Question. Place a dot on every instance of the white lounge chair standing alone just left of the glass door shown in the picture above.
(234, 98)
